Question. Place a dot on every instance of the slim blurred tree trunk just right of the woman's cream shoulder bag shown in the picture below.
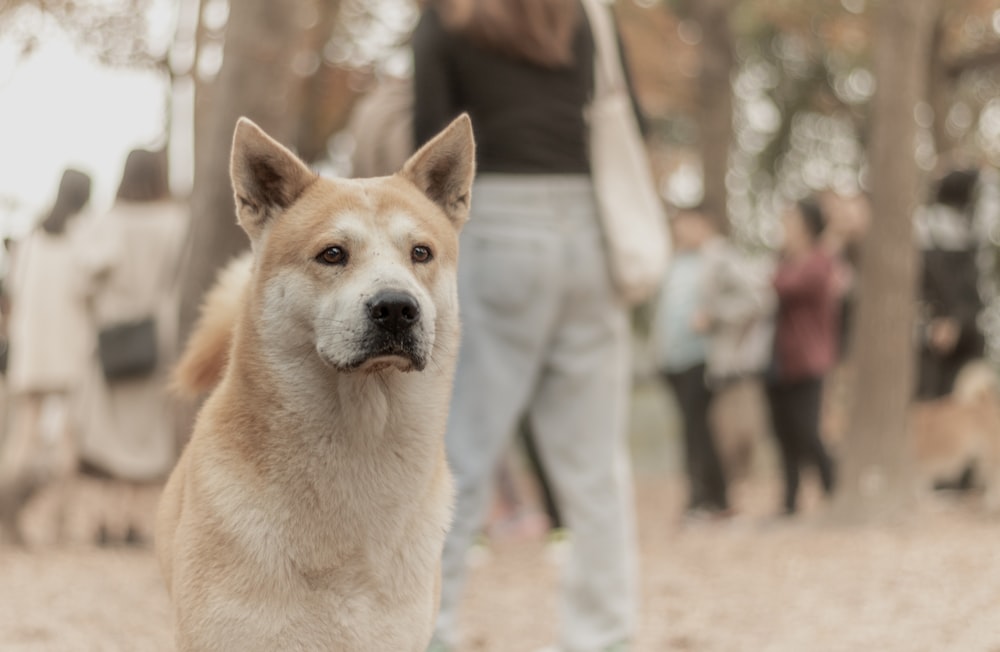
(715, 104)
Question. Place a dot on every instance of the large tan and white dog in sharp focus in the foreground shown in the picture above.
(308, 511)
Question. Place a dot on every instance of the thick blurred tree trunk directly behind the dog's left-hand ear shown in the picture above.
(255, 80)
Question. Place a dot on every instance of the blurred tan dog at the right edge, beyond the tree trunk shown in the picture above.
(956, 438)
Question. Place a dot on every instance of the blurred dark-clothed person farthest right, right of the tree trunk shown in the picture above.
(949, 336)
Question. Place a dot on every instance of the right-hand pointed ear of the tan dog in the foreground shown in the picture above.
(444, 168)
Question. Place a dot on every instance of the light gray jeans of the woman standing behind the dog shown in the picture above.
(543, 334)
